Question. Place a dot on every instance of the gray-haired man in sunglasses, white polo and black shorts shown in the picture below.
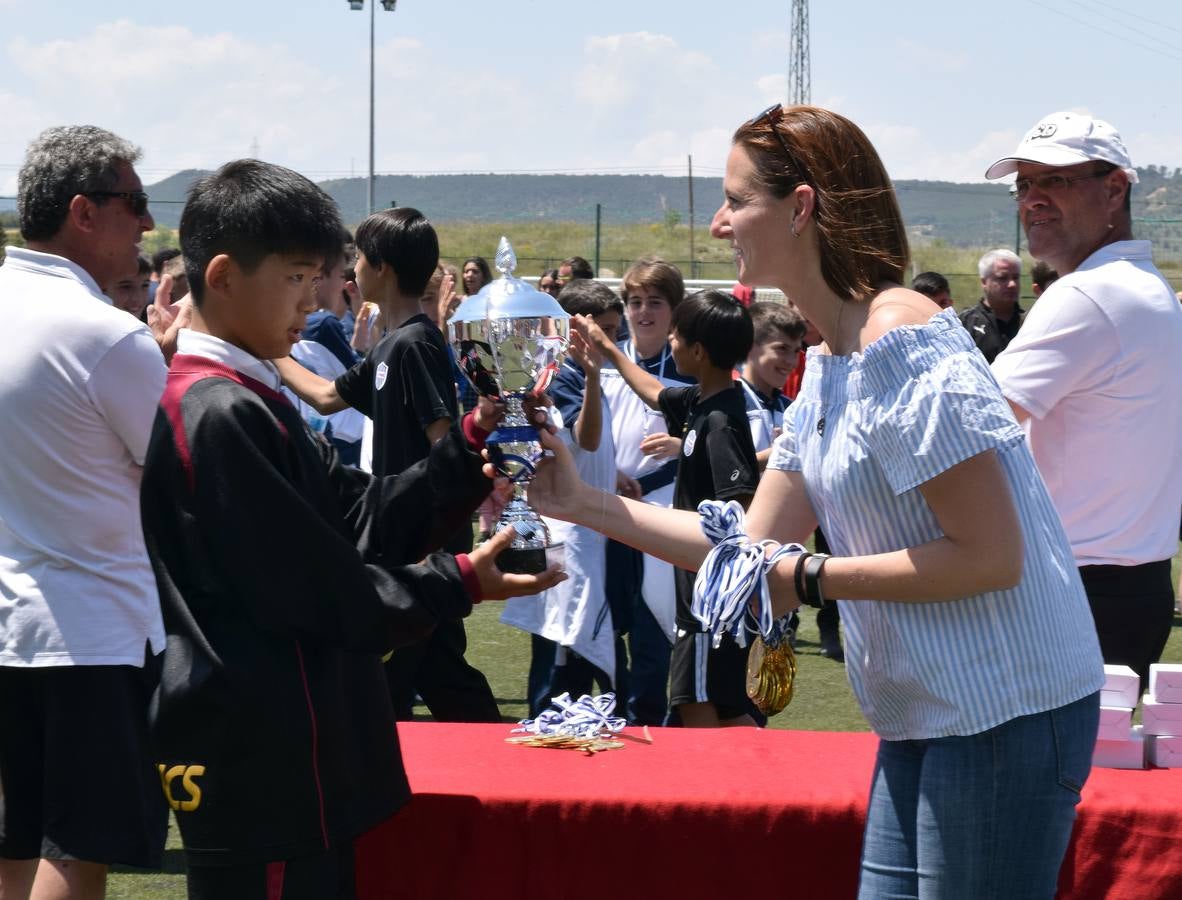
(80, 616)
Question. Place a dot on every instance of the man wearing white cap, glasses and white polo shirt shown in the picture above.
(1095, 375)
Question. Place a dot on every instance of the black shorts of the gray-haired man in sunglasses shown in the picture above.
(76, 772)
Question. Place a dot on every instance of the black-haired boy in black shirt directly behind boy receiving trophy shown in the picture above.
(405, 385)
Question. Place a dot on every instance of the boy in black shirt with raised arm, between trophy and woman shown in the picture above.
(712, 332)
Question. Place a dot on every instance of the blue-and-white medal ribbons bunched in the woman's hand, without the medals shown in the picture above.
(731, 594)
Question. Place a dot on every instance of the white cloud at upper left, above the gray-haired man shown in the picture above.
(189, 99)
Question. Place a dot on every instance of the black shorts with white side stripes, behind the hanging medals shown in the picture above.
(702, 674)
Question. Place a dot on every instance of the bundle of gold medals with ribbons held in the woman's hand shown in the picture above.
(731, 597)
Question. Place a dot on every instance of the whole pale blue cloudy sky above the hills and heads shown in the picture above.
(577, 86)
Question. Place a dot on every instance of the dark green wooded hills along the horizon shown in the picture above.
(976, 215)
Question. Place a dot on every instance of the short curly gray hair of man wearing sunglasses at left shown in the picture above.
(61, 164)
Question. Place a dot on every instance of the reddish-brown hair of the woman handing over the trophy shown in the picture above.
(860, 229)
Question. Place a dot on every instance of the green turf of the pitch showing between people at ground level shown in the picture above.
(823, 702)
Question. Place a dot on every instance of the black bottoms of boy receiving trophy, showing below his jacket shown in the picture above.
(328, 876)
